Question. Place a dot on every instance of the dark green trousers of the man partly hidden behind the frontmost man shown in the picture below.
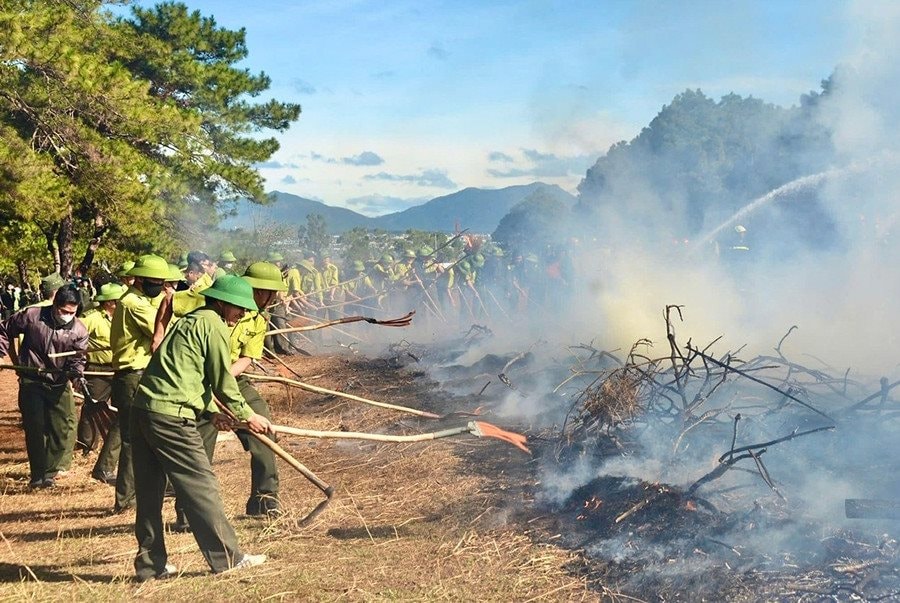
(263, 468)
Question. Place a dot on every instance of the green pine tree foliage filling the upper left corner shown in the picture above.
(124, 129)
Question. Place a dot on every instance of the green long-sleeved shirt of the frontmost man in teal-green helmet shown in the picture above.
(191, 365)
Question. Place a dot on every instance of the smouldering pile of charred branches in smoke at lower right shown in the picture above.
(700, 475)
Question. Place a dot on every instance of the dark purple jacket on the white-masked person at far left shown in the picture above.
(41, 337)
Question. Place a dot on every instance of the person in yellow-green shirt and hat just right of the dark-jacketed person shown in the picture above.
(99, 357)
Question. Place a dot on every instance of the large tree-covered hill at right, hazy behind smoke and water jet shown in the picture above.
(699, 160)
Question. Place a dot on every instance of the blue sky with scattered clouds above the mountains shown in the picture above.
(405, 101)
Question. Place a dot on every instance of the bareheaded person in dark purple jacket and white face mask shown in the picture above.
(45, 394)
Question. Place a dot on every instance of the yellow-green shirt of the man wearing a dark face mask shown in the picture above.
(131, 331)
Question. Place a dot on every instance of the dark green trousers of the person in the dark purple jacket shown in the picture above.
(48, 416)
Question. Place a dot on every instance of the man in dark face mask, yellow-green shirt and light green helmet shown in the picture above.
(131, 338)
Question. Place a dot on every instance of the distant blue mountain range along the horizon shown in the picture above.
(479, 210)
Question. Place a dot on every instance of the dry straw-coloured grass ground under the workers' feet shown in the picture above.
(408, 522)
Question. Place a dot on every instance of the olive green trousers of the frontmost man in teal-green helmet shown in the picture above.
(171, 447)
